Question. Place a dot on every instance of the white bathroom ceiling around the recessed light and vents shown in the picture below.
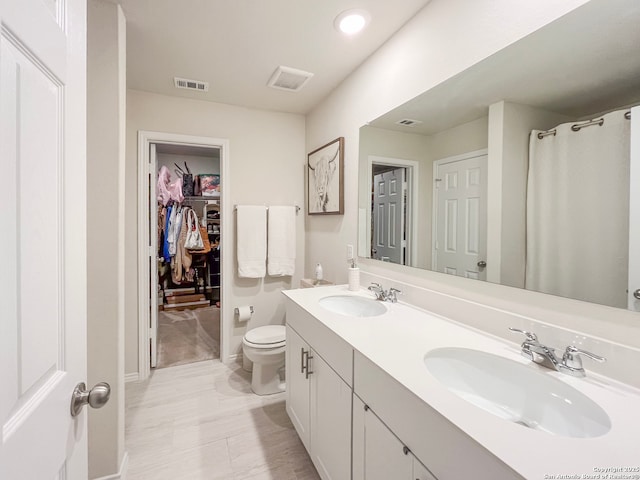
(236, 45)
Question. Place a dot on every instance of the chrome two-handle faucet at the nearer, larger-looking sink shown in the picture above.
(571, 363)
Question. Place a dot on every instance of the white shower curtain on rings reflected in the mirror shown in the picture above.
(578, 212)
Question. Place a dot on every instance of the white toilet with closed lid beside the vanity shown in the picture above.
(265, 346)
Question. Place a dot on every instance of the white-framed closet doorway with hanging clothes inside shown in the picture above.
(182, 300)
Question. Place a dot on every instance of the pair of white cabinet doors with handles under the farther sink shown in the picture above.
(319, 405)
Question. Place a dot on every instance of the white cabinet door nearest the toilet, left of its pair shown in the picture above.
(297, 385)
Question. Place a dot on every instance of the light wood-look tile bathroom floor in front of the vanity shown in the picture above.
(201, 421)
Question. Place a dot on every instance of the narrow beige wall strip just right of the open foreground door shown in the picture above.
(106, 65)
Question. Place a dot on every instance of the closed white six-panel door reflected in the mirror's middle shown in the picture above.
(460, 216)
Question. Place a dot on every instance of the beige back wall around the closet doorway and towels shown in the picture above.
(267, 158)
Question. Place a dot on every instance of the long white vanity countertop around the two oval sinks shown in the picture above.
(397, 342)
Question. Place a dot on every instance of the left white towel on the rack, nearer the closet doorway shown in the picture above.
(252, 241)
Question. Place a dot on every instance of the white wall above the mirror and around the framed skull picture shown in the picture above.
(443, 39)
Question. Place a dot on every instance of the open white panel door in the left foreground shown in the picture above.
(43, 198)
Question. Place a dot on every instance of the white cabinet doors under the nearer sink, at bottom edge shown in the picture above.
(377, 453)
